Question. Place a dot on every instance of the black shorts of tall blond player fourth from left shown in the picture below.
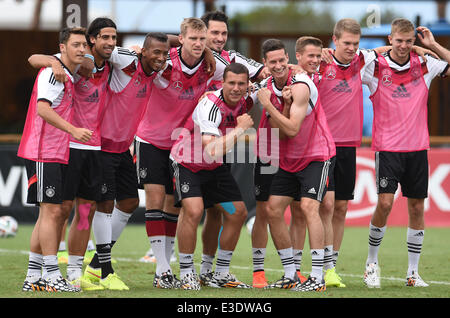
(153, 166)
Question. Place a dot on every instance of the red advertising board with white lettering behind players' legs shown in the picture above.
(437, 205)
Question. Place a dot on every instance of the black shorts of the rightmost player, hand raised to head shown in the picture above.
(410, 169)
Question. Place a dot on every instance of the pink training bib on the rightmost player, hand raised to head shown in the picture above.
(400, 108)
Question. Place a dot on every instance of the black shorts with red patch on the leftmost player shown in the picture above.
(45, 182)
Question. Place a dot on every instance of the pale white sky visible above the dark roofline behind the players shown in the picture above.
(166, 15)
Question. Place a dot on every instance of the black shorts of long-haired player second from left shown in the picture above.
(84, 175)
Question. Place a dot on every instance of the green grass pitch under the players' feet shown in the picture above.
(434, 268)
